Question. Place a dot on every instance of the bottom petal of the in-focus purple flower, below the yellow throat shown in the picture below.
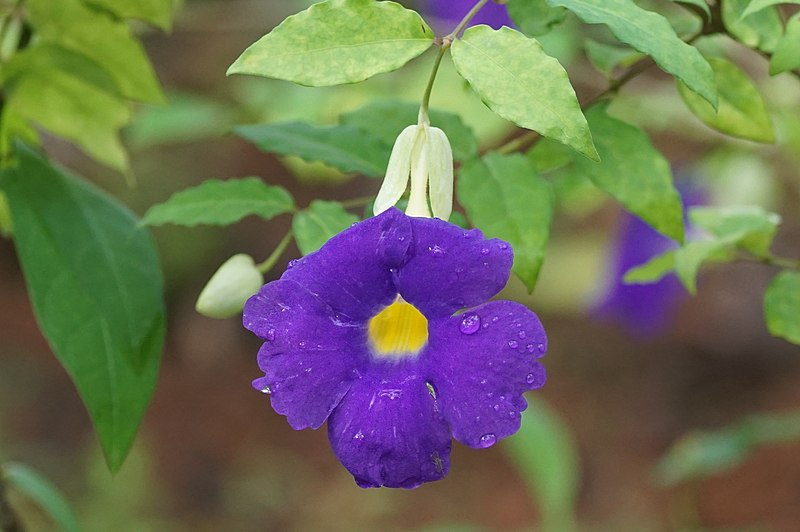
(388, 431)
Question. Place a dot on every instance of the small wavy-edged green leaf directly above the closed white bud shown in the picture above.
(216, 202)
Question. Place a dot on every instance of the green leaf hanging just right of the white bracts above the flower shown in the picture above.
(505, 196)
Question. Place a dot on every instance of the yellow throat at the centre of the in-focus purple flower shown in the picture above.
(398, 331)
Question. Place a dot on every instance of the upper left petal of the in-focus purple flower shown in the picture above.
(351, 272)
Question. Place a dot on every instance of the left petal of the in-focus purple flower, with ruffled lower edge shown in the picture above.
(309, 357)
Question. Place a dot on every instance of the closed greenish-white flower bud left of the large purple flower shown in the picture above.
(226, 292)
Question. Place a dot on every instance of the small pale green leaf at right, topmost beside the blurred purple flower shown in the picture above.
(748, 227)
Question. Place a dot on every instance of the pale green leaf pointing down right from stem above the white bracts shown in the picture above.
(517, 80)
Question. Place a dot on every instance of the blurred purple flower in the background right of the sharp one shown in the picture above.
(643, 309)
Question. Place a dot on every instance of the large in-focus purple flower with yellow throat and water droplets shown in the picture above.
(366, 334)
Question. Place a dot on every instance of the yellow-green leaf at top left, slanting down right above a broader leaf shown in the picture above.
(106, 41)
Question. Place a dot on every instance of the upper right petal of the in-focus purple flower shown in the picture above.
(450, 268)
